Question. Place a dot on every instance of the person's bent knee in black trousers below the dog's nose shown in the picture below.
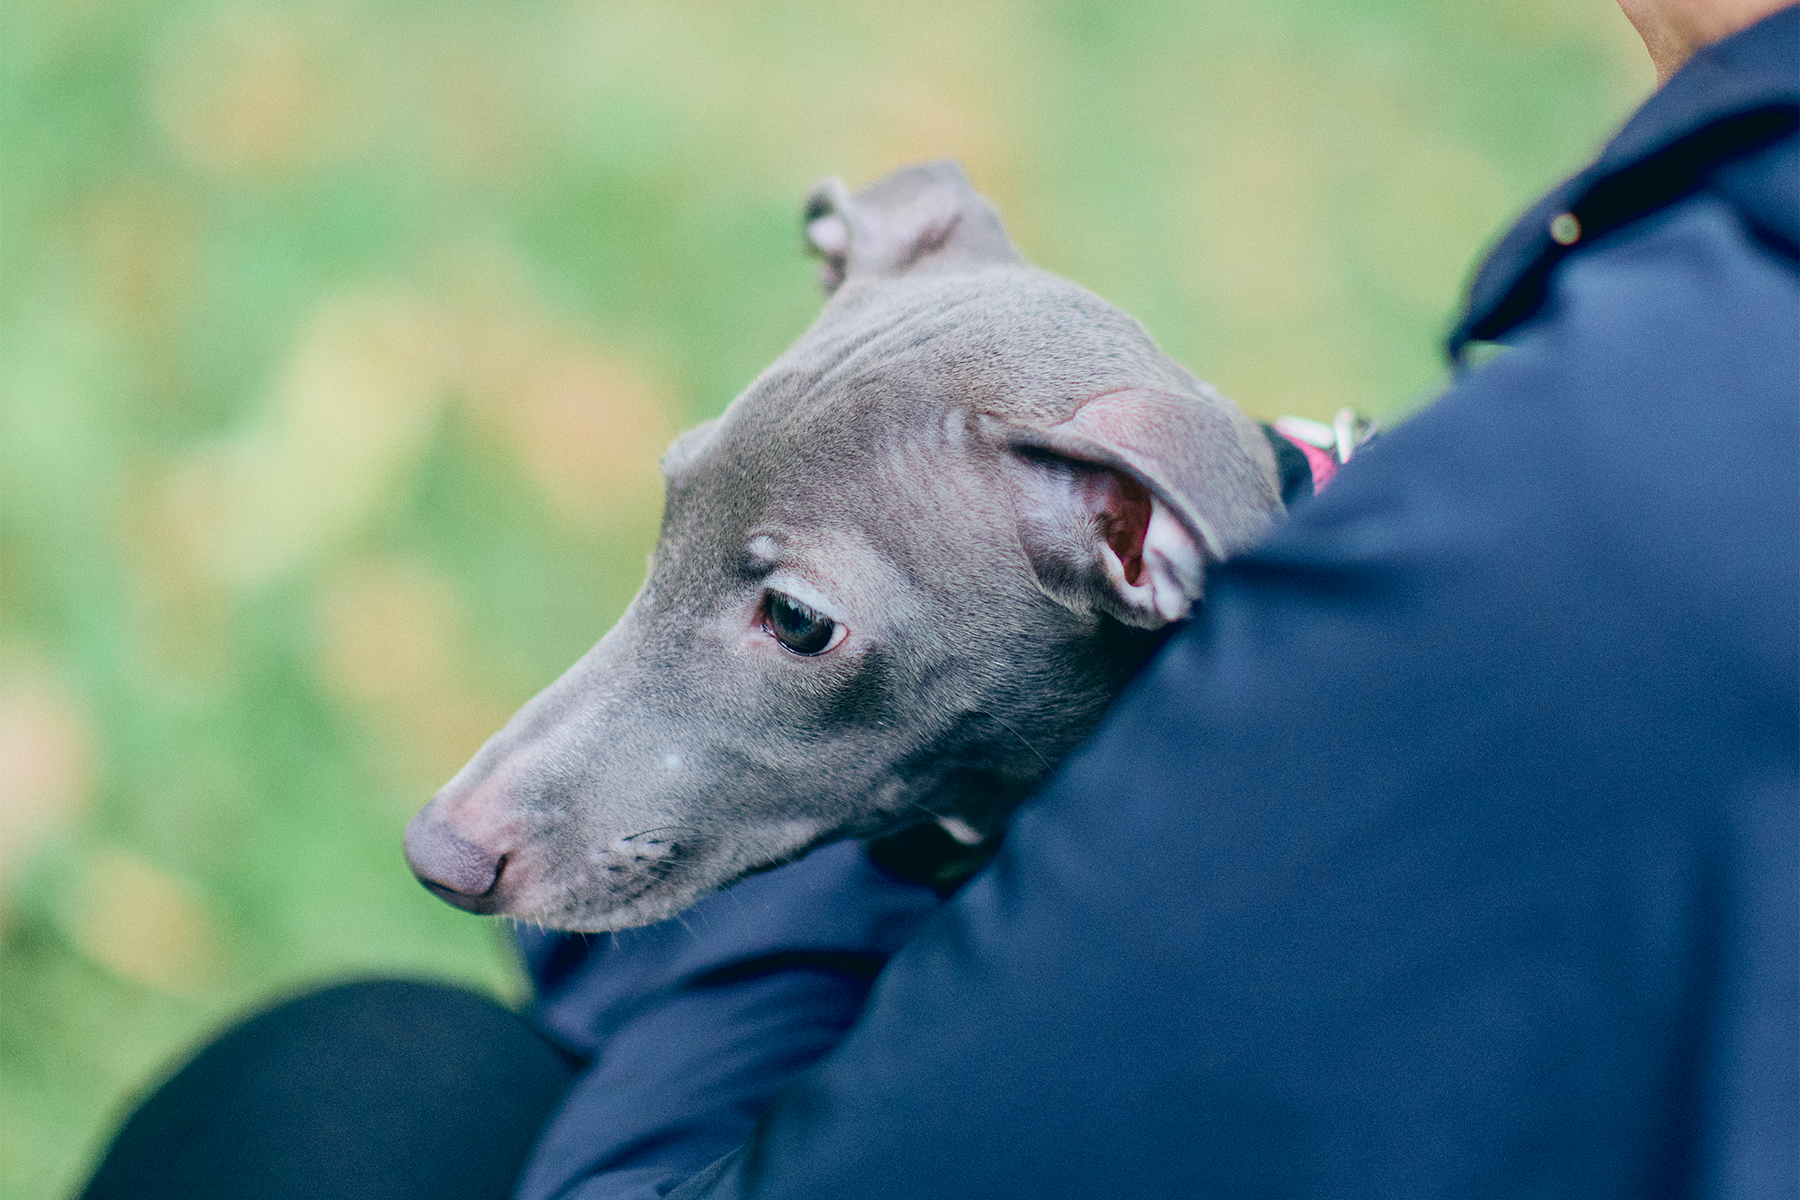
(368, 1091)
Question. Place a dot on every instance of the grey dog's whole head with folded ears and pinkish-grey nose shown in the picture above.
(899, 578)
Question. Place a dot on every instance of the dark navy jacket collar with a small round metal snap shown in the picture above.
(1732, 98)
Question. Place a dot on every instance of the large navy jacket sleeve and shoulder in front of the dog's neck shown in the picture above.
(1452, 850)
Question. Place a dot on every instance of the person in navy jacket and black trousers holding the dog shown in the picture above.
(1453, 850)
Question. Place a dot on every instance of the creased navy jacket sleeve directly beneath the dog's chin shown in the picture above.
(692, 1025)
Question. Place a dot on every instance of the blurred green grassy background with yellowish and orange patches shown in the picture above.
(339, 341)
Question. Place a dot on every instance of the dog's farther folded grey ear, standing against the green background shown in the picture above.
(915, 219)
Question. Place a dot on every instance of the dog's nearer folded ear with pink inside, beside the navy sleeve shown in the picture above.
(1122, 506)
